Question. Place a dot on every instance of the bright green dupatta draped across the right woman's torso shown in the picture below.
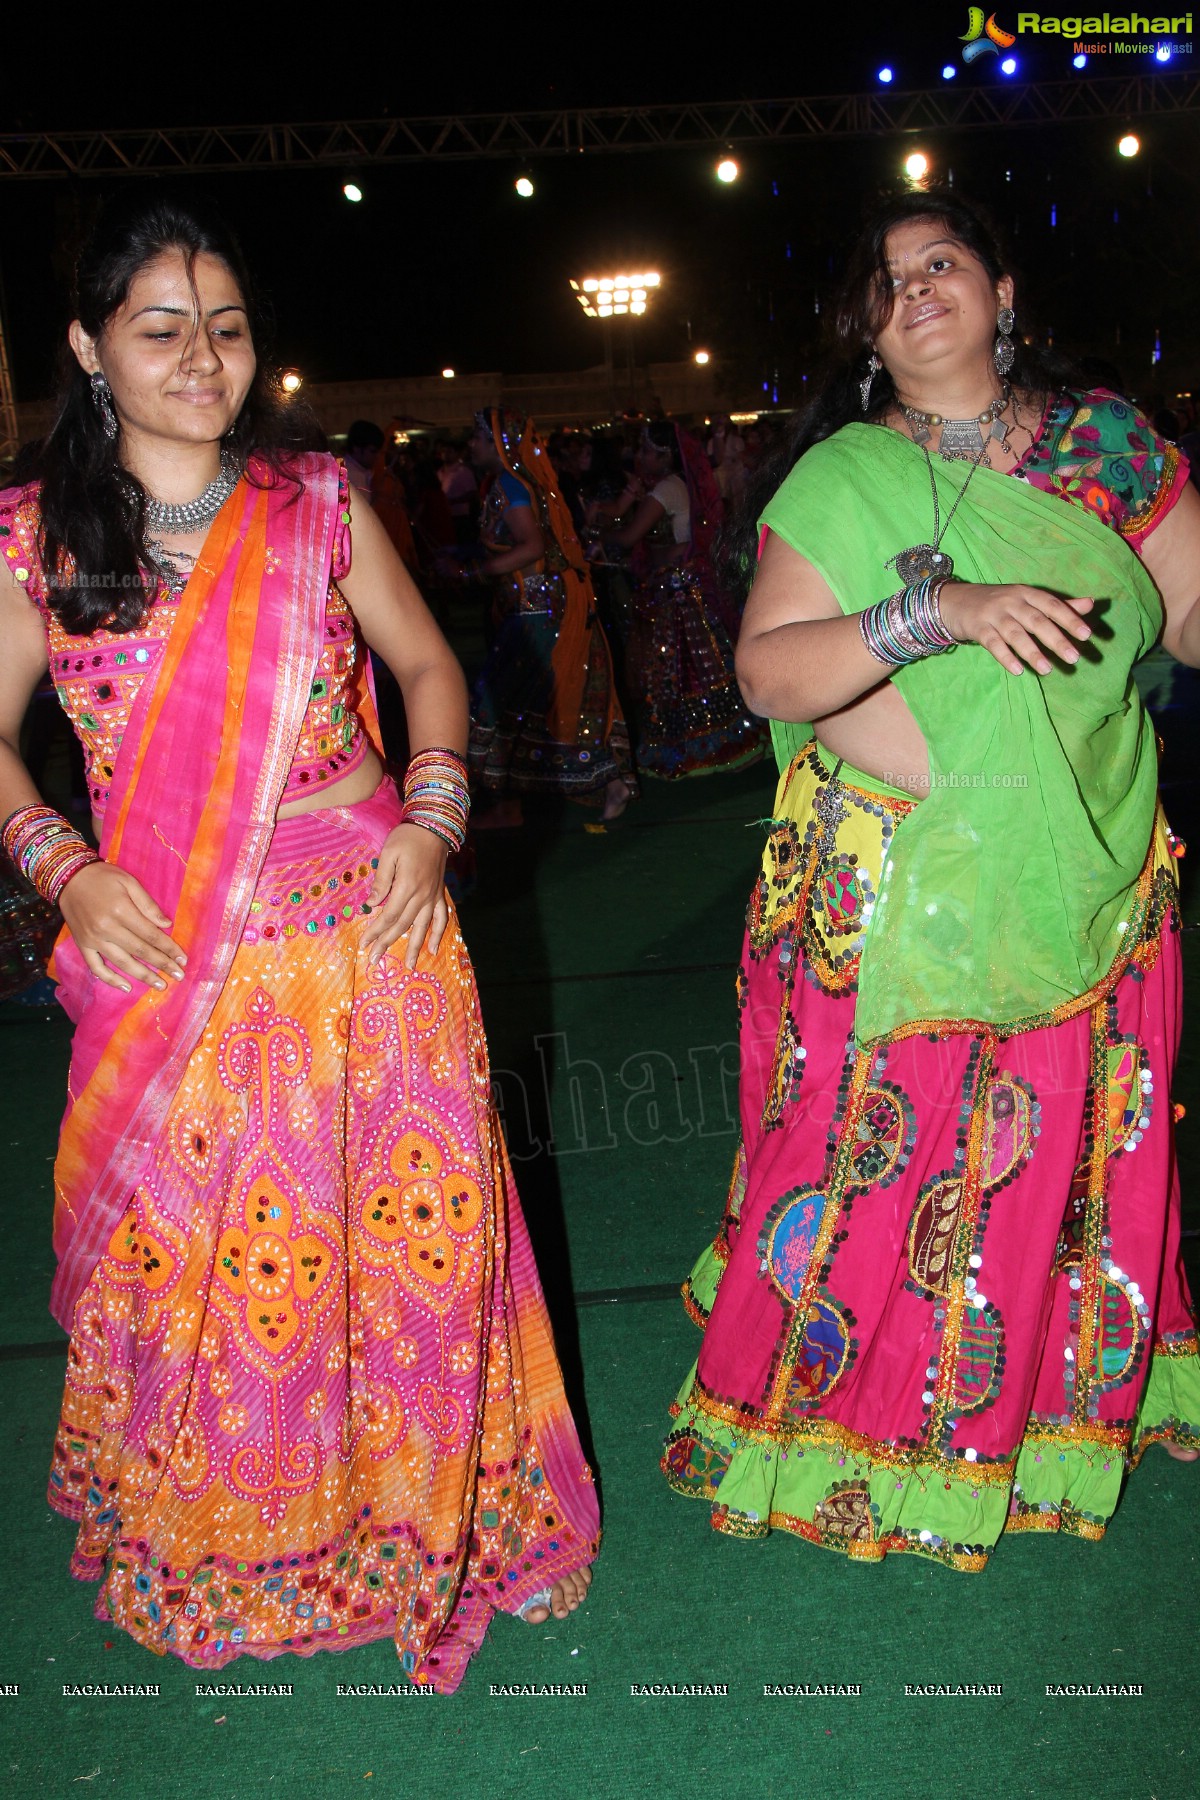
(1007, 890)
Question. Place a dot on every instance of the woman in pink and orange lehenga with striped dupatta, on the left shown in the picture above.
(312, 1394)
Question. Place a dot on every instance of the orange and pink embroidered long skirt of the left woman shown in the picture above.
(312, 1392)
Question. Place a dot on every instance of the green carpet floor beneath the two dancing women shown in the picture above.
(605, 967)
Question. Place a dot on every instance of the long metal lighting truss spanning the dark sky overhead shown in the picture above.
(605, 130)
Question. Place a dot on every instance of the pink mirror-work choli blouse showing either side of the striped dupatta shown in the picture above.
(98, 678)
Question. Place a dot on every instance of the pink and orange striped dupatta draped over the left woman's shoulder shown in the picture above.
(197, 787)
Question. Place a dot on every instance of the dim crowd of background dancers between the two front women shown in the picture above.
(609, 636)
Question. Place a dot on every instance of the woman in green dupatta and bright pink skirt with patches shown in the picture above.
(947, 1299)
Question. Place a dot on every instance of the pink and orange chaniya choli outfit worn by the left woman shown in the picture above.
(312, 1392)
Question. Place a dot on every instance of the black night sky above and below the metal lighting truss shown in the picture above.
(443, 264)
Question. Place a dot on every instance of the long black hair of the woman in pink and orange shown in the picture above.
(93, 508)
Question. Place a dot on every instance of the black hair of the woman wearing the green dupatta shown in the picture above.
(864, 305)
